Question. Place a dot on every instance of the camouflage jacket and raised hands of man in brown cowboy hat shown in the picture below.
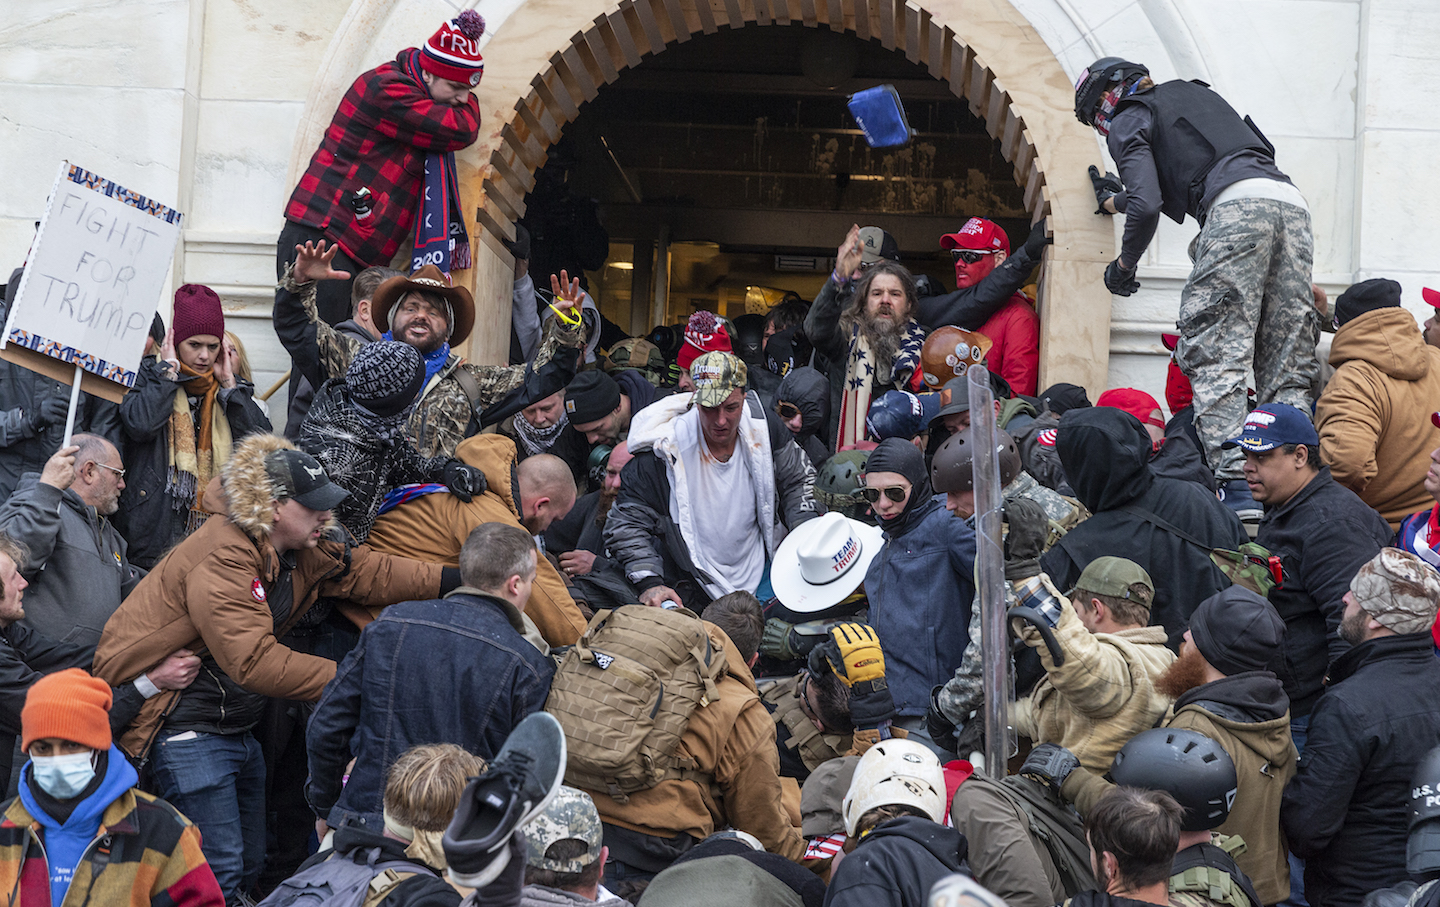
(444, 414)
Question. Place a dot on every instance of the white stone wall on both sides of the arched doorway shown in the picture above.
(202, 103)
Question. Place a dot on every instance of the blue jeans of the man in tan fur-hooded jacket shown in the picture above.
(218, 782)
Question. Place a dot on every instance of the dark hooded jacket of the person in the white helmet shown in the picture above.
(896, 865)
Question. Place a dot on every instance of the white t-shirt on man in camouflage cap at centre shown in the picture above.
(722, 496)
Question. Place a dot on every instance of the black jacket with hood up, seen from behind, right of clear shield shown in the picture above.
(1167, 526)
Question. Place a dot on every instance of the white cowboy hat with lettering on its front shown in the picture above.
(823, 561)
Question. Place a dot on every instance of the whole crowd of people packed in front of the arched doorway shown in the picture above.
(695, 618)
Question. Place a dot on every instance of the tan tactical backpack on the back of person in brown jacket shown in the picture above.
(626, 693)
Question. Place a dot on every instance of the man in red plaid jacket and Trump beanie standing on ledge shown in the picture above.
(388, 163)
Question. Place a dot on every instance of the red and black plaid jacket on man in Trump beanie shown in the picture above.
(379, 137)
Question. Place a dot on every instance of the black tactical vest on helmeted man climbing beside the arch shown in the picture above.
(1193, 130)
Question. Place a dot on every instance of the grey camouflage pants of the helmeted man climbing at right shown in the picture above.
(1248, 312)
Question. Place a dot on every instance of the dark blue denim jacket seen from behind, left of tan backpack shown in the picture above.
(451, 670)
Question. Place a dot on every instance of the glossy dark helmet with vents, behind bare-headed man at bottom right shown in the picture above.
(1187, 765)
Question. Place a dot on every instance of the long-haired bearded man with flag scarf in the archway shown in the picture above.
(863, 322)
